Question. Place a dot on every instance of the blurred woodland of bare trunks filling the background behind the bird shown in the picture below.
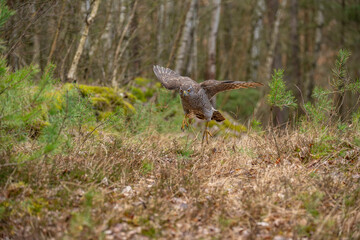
(111, 42)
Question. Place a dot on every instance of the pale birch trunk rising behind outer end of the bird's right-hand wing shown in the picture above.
(255, 43)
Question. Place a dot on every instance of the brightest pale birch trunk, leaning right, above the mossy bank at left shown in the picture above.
(84, 34)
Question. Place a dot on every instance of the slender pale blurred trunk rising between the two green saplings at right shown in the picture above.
(319, 21)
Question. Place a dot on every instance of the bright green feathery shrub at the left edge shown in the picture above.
(23, 106)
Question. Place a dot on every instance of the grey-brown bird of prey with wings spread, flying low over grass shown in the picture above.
(196, 97)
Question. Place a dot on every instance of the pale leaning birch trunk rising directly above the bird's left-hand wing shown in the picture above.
(185, 38)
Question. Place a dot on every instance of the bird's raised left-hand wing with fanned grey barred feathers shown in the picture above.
(171, 79)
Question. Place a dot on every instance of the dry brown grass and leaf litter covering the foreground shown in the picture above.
(166, 186)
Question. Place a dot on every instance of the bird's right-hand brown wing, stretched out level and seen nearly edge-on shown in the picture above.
(212, 87)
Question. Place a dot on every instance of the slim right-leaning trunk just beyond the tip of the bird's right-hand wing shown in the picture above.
(274, 39)
